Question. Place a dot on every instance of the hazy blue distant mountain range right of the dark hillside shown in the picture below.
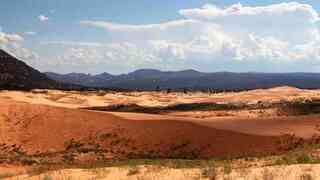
(150, 79)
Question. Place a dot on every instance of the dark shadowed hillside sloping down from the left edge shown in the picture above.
(15, 74)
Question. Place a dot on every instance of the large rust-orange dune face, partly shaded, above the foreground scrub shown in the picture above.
(43, 128)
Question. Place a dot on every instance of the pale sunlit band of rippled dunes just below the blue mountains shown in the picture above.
(73, 99)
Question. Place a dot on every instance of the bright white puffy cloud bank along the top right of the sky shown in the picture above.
(301, 12)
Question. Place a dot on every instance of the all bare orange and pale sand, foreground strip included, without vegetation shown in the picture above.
(45, 120)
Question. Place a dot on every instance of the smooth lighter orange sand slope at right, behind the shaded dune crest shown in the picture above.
(302, 126)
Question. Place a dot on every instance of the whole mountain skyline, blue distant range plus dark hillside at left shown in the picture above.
(15, 74)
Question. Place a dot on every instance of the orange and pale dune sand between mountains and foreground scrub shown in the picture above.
(46, 120)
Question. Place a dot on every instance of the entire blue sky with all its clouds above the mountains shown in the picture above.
(120, 36)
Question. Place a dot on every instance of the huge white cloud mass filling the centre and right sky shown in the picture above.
(210, 38)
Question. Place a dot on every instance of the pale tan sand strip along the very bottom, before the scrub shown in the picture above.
(160, 173)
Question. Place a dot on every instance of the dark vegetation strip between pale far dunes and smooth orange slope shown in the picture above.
(297, 107)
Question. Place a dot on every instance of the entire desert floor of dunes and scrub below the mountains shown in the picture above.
(256, 134)
